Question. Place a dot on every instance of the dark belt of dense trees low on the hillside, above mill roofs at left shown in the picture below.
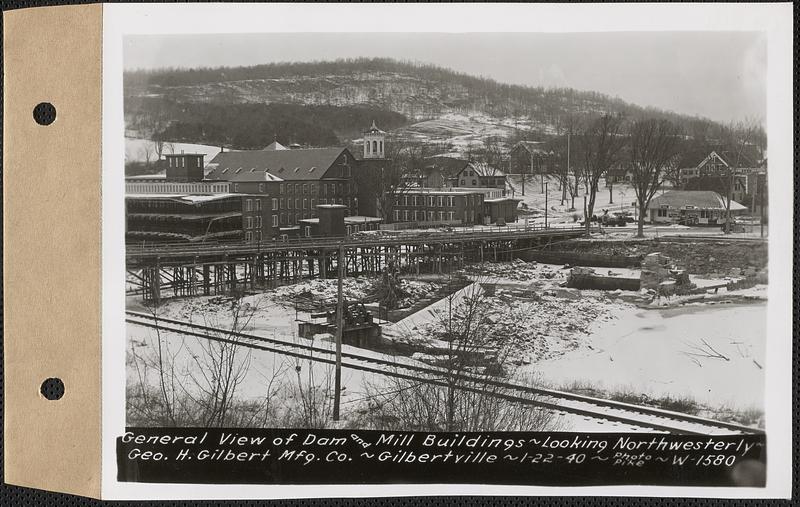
(253, 126)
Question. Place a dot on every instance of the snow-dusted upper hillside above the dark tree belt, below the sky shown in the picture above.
(417, 91)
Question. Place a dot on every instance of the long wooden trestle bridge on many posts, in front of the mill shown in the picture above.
(155, 271)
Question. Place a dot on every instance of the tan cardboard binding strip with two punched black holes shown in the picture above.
(51, 266)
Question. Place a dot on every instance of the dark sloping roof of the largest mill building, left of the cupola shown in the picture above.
(260, 165)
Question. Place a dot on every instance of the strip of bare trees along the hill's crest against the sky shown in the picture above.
(547, 105)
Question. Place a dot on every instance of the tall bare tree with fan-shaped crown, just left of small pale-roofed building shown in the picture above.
(653, 153)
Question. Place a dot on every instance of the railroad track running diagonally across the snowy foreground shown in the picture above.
(559, 401)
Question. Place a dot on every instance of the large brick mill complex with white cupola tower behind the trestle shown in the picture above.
(280, 192)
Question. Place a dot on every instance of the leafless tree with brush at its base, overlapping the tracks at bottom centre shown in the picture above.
(464, 396)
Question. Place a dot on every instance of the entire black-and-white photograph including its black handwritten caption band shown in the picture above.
(410, 248)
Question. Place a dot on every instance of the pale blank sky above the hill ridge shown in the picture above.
(718, 75)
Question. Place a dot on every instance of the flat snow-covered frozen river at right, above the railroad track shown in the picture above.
(713, 353)
